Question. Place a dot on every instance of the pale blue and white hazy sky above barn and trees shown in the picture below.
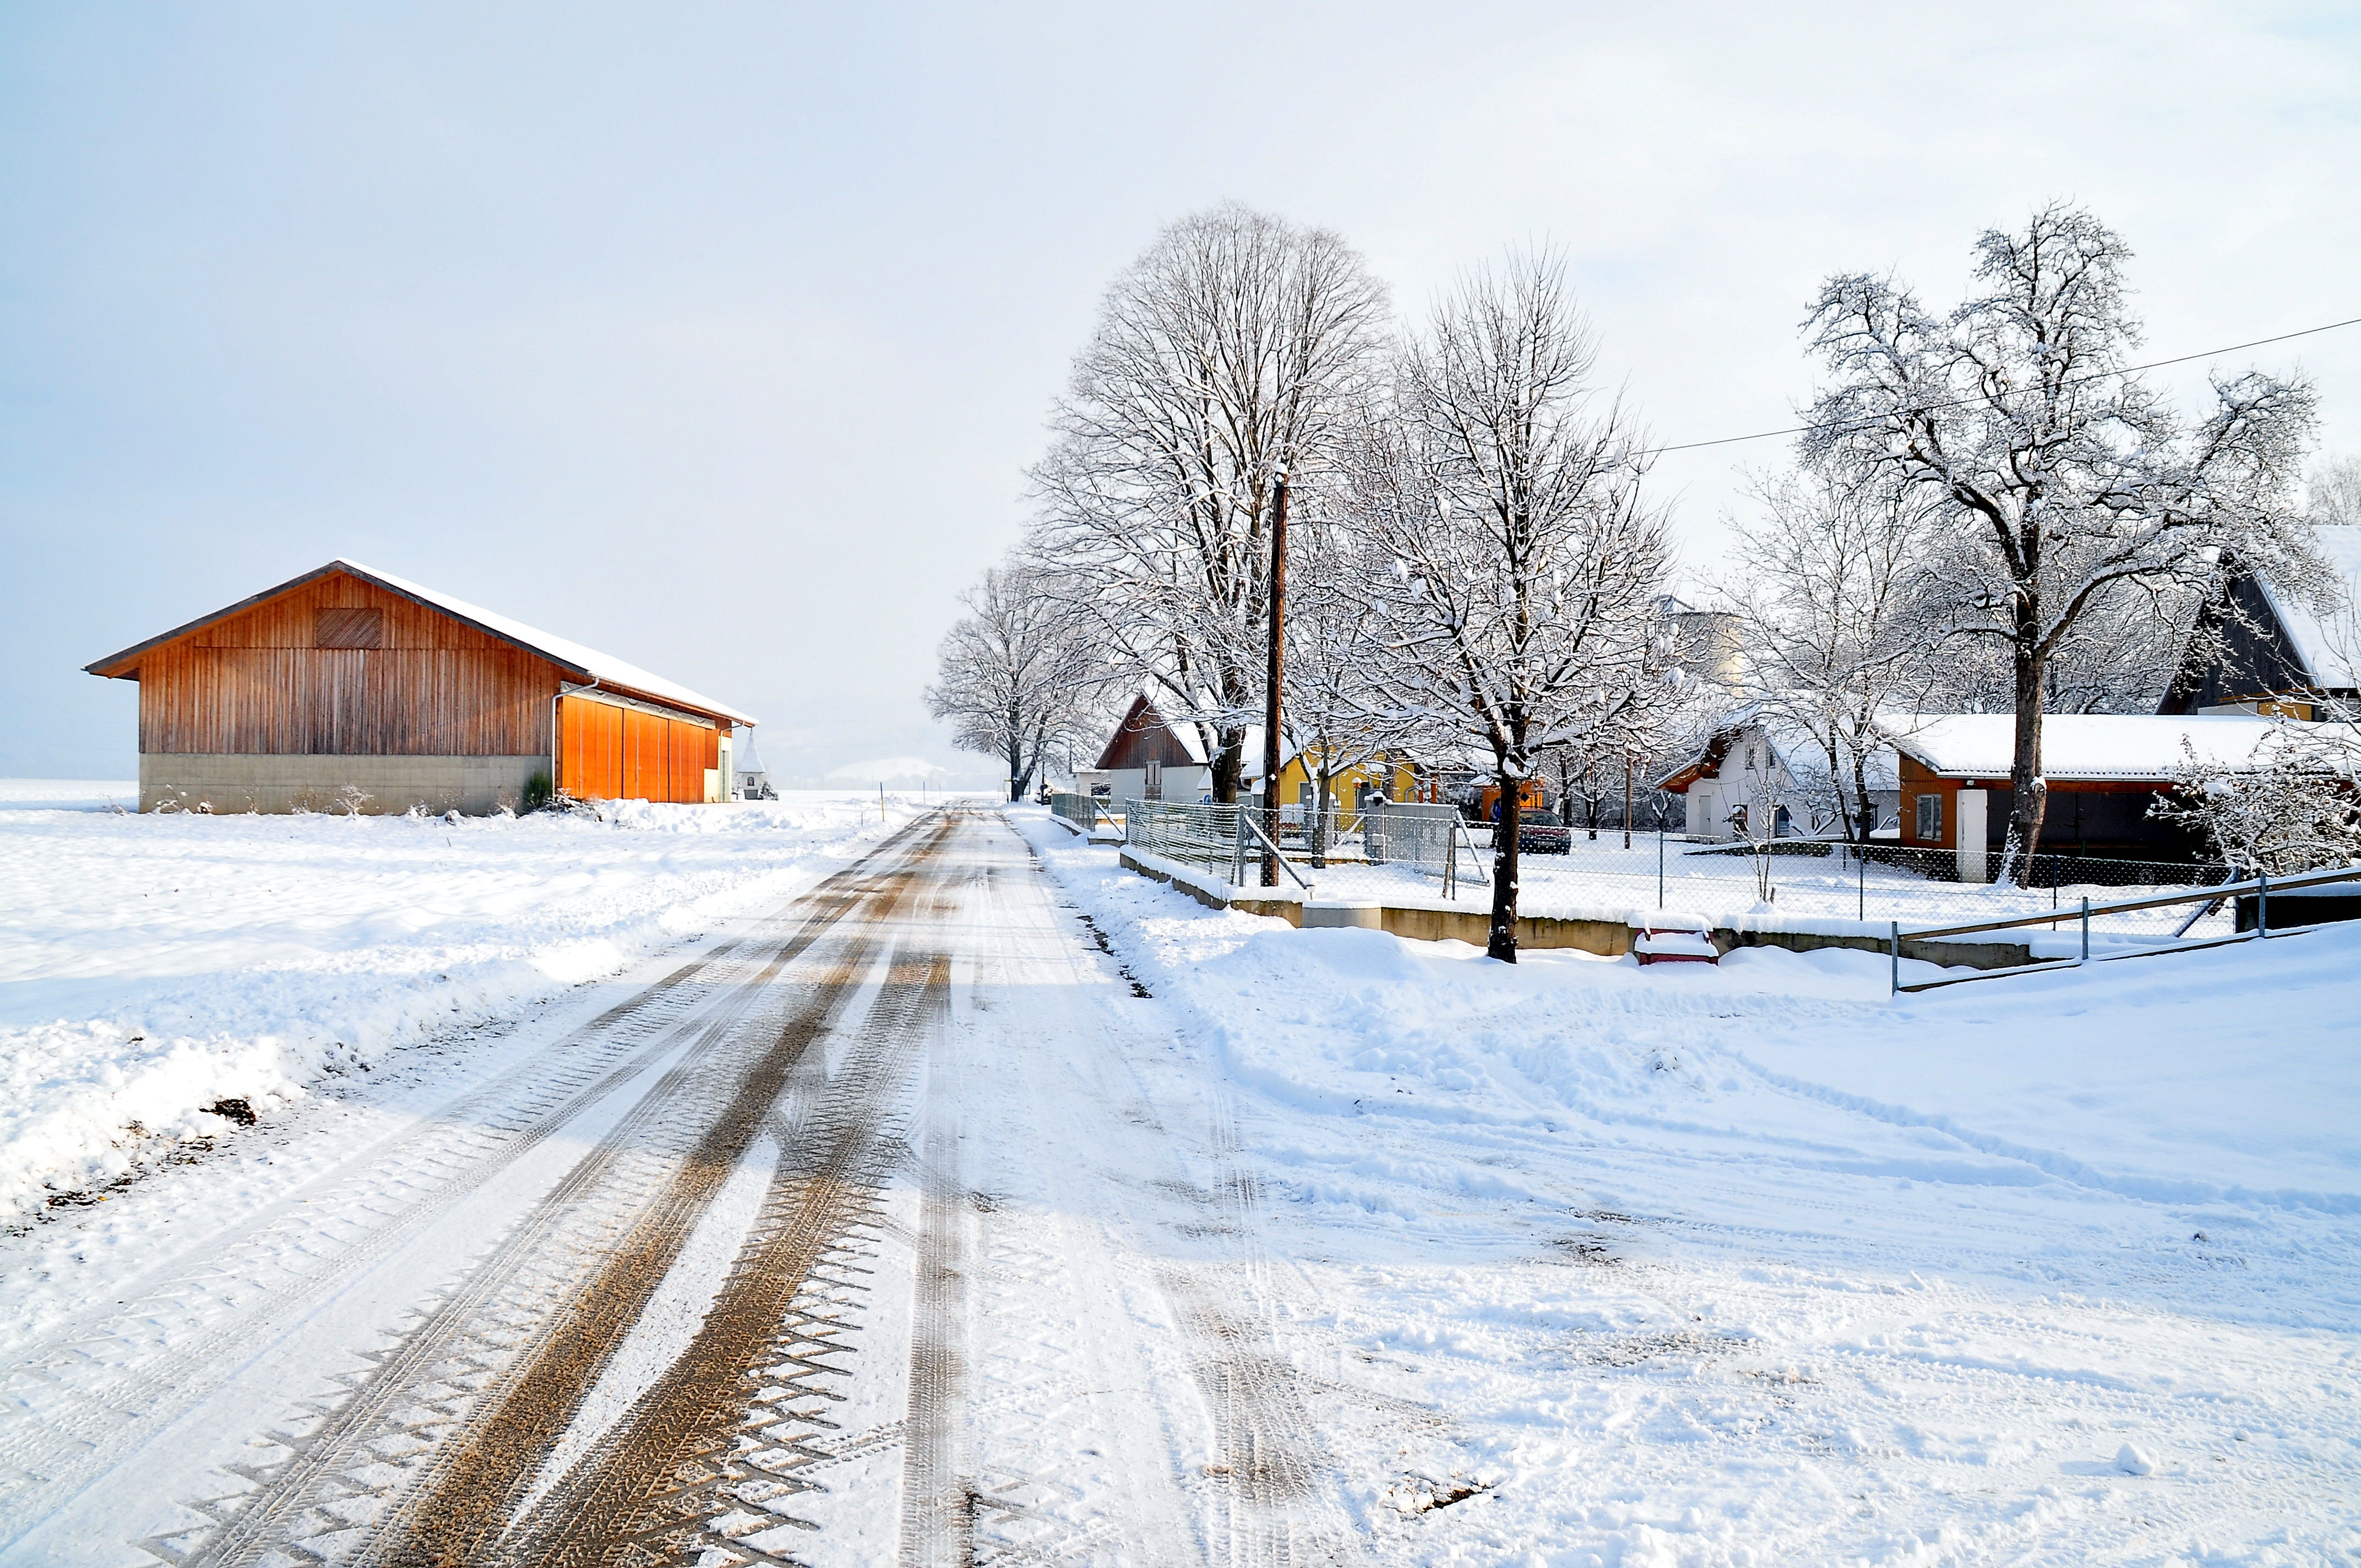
(719, 337)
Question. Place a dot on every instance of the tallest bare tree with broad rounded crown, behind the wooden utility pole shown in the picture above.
(1234, 351)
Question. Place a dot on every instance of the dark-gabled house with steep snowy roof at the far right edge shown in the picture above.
(2263, 651)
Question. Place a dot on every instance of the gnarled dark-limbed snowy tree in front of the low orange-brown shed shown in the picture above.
(2060, 481)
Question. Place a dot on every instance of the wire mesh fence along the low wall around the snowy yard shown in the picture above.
(1427, 854)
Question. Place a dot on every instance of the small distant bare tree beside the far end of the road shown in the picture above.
(1016, 677)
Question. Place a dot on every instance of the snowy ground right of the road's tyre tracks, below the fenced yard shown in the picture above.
(1755, 1265)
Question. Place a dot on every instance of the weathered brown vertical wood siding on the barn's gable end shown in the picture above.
(259, 684)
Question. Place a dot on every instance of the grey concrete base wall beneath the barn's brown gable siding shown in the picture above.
(254, 783)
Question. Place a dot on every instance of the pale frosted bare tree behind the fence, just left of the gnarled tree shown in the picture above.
(1829, 589)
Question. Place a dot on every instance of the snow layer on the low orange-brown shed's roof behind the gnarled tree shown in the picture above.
(2081, 745)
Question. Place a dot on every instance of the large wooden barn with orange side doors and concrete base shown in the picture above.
(355, 691)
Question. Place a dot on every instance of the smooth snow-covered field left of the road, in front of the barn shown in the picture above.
(157, 967)
